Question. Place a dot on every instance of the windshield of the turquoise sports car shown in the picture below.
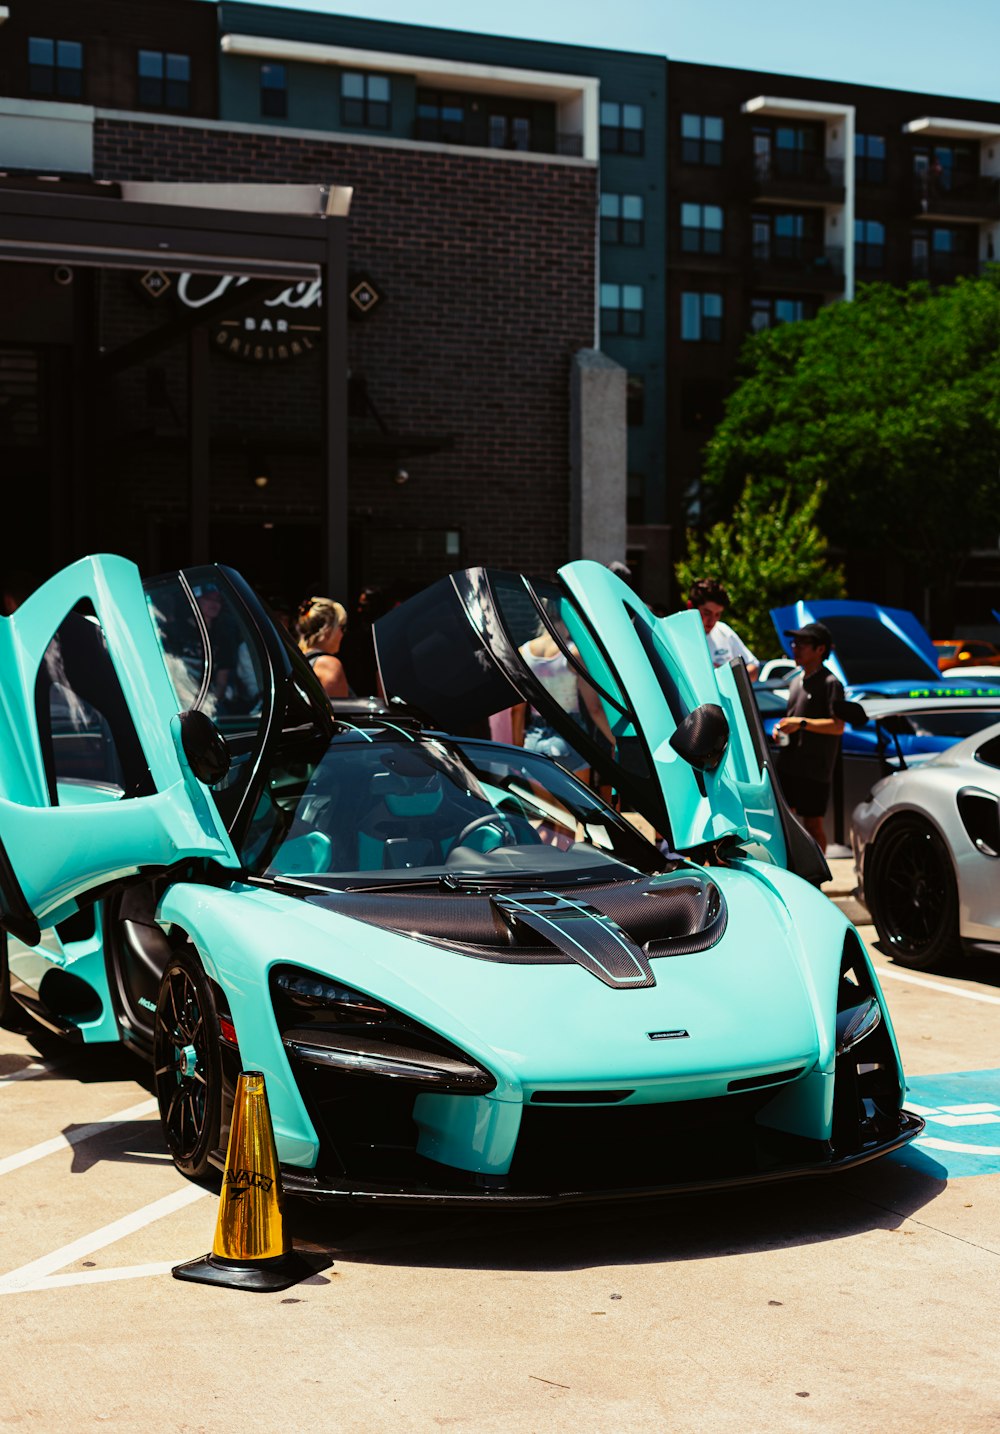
(378, 808)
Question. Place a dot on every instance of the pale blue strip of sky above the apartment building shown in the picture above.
(916, 45)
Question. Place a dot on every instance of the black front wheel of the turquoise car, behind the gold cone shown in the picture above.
(187, 1065)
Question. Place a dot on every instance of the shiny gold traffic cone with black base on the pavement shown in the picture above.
(252, 1250)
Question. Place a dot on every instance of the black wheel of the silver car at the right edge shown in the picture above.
(913, 897)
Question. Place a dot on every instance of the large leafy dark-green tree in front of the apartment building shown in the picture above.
(892, 402)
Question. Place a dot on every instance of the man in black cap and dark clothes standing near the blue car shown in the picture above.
(813, 733)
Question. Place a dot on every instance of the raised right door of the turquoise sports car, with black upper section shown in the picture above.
(631, 688)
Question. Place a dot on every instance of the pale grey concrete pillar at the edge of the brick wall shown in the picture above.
(599, 458)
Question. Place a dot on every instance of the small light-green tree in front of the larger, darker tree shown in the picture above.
(768, 556)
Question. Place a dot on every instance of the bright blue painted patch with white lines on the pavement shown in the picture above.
(963, 1125)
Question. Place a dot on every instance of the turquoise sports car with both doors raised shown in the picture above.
(466, 976)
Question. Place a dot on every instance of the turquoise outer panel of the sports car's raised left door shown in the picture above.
(94, 781)
